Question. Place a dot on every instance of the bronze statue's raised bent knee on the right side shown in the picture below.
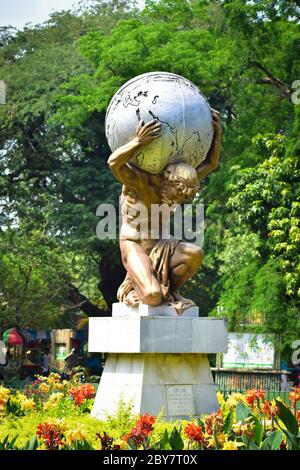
(184, 263)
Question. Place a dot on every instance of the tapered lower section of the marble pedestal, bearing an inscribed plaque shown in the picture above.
(180, 385)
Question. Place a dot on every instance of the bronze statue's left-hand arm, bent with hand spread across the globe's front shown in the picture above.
(119, 160)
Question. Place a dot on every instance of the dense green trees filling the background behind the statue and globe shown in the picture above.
(60, 77)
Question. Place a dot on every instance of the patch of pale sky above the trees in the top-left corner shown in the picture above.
(19, 12)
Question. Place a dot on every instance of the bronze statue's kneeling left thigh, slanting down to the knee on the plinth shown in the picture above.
(140, 272)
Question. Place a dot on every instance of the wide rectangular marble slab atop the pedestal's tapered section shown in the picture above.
(157, 335)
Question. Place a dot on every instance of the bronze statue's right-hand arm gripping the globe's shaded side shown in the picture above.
(212, 159)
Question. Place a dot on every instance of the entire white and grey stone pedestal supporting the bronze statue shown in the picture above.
(157, 360)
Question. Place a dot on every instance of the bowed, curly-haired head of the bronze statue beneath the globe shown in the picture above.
(180, 183)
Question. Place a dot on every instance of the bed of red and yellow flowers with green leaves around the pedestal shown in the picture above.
(53, 414)
